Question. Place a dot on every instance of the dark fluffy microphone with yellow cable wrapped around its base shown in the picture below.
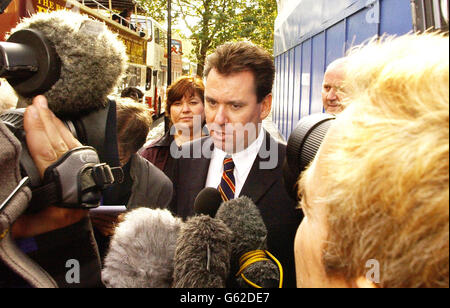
(252, 264)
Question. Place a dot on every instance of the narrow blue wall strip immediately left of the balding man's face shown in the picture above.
(318, 68)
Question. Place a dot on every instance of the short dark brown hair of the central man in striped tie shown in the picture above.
(236, 57)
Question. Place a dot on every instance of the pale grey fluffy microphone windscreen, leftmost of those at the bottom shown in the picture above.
(142, 250)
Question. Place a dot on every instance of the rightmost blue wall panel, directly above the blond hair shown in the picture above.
(399, 22)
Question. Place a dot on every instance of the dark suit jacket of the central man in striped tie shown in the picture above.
(264, 186)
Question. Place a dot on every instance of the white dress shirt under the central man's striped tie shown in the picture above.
(243, 162)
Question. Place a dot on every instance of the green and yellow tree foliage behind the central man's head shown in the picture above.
(214, 22)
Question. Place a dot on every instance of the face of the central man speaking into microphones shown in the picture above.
(232, 112)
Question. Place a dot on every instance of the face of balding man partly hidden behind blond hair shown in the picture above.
(331, 96)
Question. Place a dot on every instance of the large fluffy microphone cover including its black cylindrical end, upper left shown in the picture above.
(73, 60)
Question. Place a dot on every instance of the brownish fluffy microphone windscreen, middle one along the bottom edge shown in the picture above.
(202, 257)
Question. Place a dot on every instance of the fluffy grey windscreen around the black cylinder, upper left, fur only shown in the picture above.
(93, 60)
